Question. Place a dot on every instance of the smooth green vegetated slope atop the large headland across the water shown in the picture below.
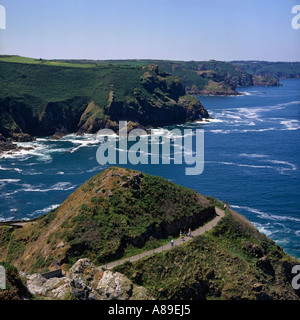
(50, 84)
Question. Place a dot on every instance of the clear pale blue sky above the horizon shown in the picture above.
(151, 29)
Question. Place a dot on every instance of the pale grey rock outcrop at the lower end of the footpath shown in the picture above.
(85, 282)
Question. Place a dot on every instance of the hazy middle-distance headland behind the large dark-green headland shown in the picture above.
(201, 77)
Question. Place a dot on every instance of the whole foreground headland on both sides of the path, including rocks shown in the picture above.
(121, 212)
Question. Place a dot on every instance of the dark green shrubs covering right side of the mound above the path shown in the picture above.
(130, 221)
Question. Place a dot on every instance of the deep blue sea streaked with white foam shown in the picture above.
(251, 153)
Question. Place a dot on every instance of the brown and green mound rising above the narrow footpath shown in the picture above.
(116, 213)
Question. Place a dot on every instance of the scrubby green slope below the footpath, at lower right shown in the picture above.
(232, 261)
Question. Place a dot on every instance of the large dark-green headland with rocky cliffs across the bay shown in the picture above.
(42, 100)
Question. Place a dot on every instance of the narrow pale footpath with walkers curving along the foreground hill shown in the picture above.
(177, 242)
